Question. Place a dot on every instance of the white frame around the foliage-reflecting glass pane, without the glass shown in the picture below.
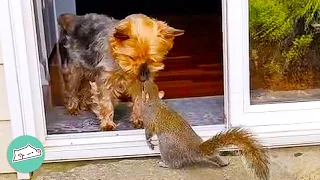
(285, 123)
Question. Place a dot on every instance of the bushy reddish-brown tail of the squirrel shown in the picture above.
(243, 139)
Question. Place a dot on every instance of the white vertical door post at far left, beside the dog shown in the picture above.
(21, 66)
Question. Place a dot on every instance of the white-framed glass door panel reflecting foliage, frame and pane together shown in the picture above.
(273, 64)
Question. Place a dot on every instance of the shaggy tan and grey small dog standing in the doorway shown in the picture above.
(113, 54)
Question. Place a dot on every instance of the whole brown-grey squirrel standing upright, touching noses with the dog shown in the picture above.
(179, 145)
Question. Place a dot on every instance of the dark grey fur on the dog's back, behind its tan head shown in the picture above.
(87, 42)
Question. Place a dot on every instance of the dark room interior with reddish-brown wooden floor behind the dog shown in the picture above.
(193, 68)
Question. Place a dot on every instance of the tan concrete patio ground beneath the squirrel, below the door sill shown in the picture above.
(300, 163)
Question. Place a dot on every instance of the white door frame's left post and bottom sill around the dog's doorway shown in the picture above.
(21, 62)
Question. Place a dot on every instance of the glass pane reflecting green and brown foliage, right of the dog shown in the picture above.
(284, 50)
